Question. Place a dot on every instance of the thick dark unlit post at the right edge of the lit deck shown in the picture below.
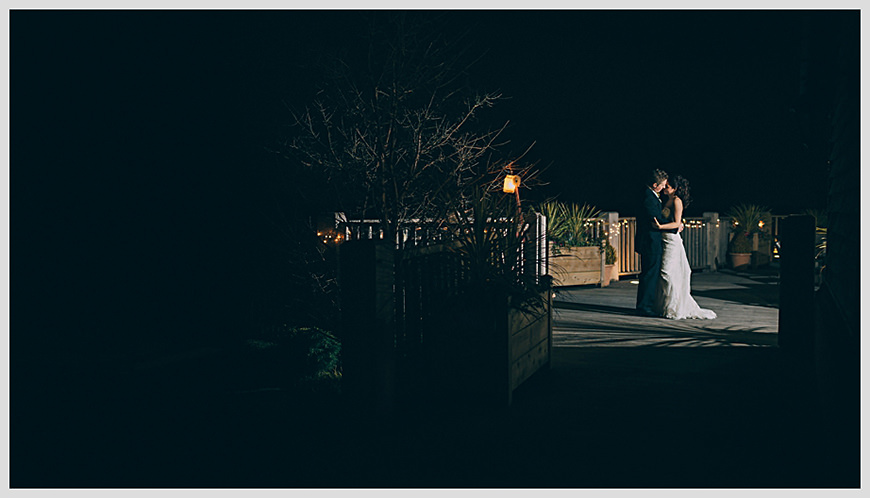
(796, 282)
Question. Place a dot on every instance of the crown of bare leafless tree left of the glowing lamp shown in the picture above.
(400, 139)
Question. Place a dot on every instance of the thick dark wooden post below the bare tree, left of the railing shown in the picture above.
(366, 279)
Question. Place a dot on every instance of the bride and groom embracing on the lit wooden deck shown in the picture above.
(665, 275)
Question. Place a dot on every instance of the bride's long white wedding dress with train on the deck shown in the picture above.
(673, 299)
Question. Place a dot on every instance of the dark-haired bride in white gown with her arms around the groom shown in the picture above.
(672, 294)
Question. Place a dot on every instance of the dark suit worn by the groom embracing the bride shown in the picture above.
(648, 242)
